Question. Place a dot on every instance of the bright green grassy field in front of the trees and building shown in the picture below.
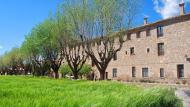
(44, 92)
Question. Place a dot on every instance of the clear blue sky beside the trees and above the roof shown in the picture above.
(18, 17)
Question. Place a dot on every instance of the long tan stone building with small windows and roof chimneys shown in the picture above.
(158, 51)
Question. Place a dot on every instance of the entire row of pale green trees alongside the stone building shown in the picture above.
(79, 31)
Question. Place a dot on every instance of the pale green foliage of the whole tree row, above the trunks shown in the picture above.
(72, 22)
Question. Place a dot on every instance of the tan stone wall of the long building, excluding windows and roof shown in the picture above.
(176, 41)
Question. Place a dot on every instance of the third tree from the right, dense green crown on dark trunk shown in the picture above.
(51, 51)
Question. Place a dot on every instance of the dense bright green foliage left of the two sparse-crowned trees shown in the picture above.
(46, 37)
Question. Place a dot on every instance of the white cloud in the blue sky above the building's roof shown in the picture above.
(167, 8)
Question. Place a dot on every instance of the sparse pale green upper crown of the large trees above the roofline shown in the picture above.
(100, 17)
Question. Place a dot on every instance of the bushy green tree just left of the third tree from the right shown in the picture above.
(32, 51)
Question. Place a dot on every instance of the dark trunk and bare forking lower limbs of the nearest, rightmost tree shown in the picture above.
(105, 51)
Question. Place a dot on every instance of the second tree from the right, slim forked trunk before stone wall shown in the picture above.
(74, 50)
